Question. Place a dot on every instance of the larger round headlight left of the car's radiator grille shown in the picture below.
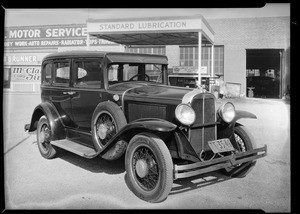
(185, 114)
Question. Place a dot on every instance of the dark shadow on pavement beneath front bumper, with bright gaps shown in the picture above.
(199, 181)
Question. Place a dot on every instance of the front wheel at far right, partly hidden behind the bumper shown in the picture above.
(245, 142)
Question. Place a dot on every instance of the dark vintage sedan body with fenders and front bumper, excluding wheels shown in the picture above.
(148, 105)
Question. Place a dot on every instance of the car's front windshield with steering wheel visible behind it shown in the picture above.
(118, 73)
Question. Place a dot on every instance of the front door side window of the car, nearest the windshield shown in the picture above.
(89, 73)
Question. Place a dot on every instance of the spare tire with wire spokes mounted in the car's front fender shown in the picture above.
(108, 119)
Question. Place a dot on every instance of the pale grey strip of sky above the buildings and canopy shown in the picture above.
(29, 17)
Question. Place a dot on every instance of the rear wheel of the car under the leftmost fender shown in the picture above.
(44, 138)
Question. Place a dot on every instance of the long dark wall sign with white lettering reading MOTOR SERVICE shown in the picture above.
(49, 36)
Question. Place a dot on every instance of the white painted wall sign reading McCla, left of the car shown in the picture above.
(26, 74)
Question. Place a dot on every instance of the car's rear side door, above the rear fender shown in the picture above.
(61, 92)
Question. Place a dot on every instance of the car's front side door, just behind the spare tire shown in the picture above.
(88, 90)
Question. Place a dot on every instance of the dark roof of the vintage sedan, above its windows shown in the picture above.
(113, 57)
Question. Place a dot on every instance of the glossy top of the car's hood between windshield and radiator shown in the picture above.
(149, 92)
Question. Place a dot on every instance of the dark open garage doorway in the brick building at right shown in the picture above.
(264, 73)
